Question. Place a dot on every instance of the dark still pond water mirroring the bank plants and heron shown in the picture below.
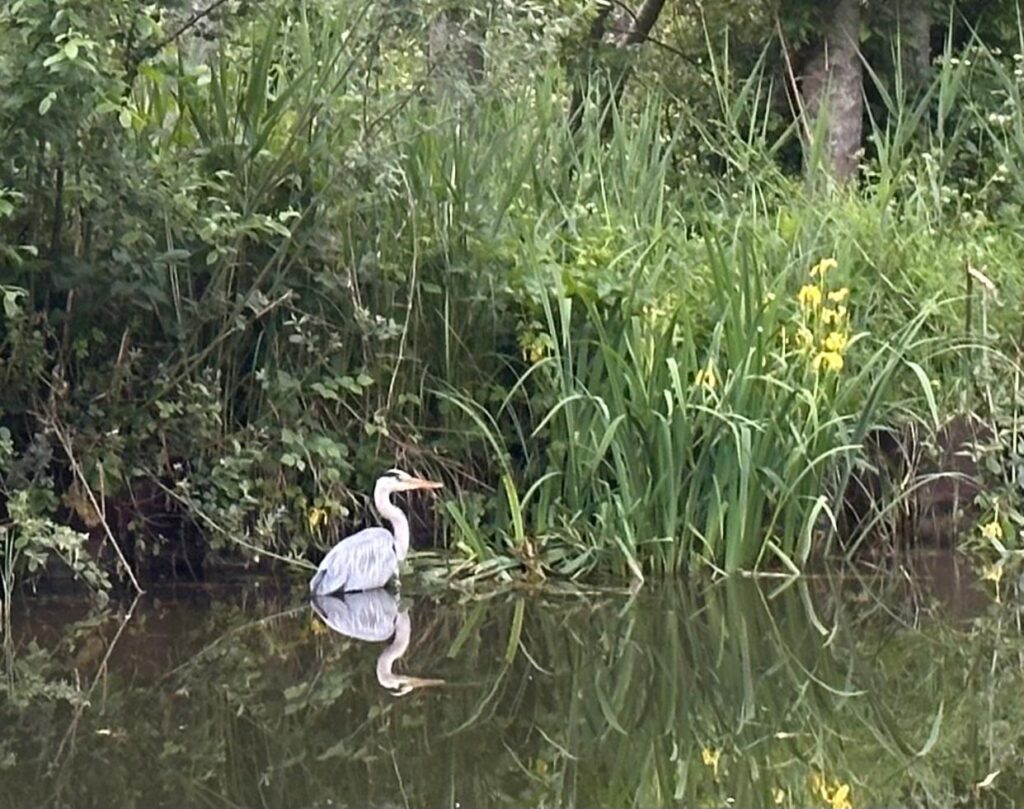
(899, 691)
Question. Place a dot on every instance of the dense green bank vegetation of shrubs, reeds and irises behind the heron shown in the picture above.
(250, 259)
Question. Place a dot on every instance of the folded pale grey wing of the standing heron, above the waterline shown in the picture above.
(363, 562)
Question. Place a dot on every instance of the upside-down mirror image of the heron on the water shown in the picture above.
(374, 616)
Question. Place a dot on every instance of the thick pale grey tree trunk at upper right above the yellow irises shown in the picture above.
(833, 87)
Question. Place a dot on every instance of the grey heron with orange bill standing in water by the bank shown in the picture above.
(370, 559)
